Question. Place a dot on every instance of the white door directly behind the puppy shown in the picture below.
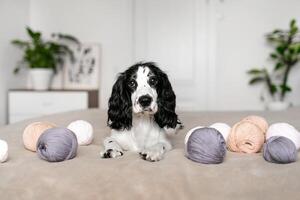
(173, 34)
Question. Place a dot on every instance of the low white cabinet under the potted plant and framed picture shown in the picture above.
(30, 104)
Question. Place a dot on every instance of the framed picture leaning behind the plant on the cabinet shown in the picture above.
(84, 72)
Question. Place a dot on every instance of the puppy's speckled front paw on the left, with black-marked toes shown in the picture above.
(111, 148)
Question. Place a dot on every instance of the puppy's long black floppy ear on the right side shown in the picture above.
(166, 100)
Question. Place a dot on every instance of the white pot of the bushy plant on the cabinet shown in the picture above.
(41, 78)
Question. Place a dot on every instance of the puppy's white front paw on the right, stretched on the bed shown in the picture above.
(155, 152)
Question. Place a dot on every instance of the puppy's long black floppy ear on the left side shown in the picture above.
(120, 106)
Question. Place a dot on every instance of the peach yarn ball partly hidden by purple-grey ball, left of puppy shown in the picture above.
(32, 133)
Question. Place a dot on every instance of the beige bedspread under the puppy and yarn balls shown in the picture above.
(25, 176)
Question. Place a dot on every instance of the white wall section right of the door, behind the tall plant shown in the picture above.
(240, 45)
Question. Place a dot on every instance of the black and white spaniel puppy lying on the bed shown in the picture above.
(141, 113)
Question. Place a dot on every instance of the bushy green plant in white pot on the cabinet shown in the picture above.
(44, 58)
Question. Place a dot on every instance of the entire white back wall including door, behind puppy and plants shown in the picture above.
(226, 40)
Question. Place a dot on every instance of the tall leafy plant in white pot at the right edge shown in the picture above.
(286, 55)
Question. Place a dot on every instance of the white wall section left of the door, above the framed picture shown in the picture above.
(106, 22)
